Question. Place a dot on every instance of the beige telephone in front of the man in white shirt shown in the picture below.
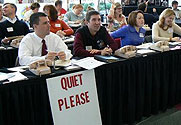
(40, 67)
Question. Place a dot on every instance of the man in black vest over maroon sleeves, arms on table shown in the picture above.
(93, 39)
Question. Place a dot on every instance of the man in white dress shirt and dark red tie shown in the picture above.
(41, 44)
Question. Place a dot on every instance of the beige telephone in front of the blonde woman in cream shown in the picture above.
(160, 46)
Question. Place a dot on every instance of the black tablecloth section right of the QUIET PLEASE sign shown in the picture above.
(139, 87)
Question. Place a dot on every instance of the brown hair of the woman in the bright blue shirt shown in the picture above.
(132, 17)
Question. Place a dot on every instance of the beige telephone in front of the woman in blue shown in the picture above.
(126, 51)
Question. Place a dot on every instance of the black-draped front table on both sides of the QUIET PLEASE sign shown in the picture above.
(127, 91)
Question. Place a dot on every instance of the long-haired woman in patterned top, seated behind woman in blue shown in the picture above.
(116, 19)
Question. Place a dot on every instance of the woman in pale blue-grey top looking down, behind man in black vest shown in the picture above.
(76, 15)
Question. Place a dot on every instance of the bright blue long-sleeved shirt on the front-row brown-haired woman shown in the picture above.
(129, 35)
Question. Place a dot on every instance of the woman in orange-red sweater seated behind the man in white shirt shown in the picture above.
(57, 26)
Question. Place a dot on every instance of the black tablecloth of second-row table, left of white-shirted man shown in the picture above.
(8, 57)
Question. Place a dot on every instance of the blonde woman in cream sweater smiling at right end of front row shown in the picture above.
(164, 28)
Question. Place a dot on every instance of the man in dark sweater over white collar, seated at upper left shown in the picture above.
(12, 26)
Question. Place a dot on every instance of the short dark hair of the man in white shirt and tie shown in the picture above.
(35, 18)
